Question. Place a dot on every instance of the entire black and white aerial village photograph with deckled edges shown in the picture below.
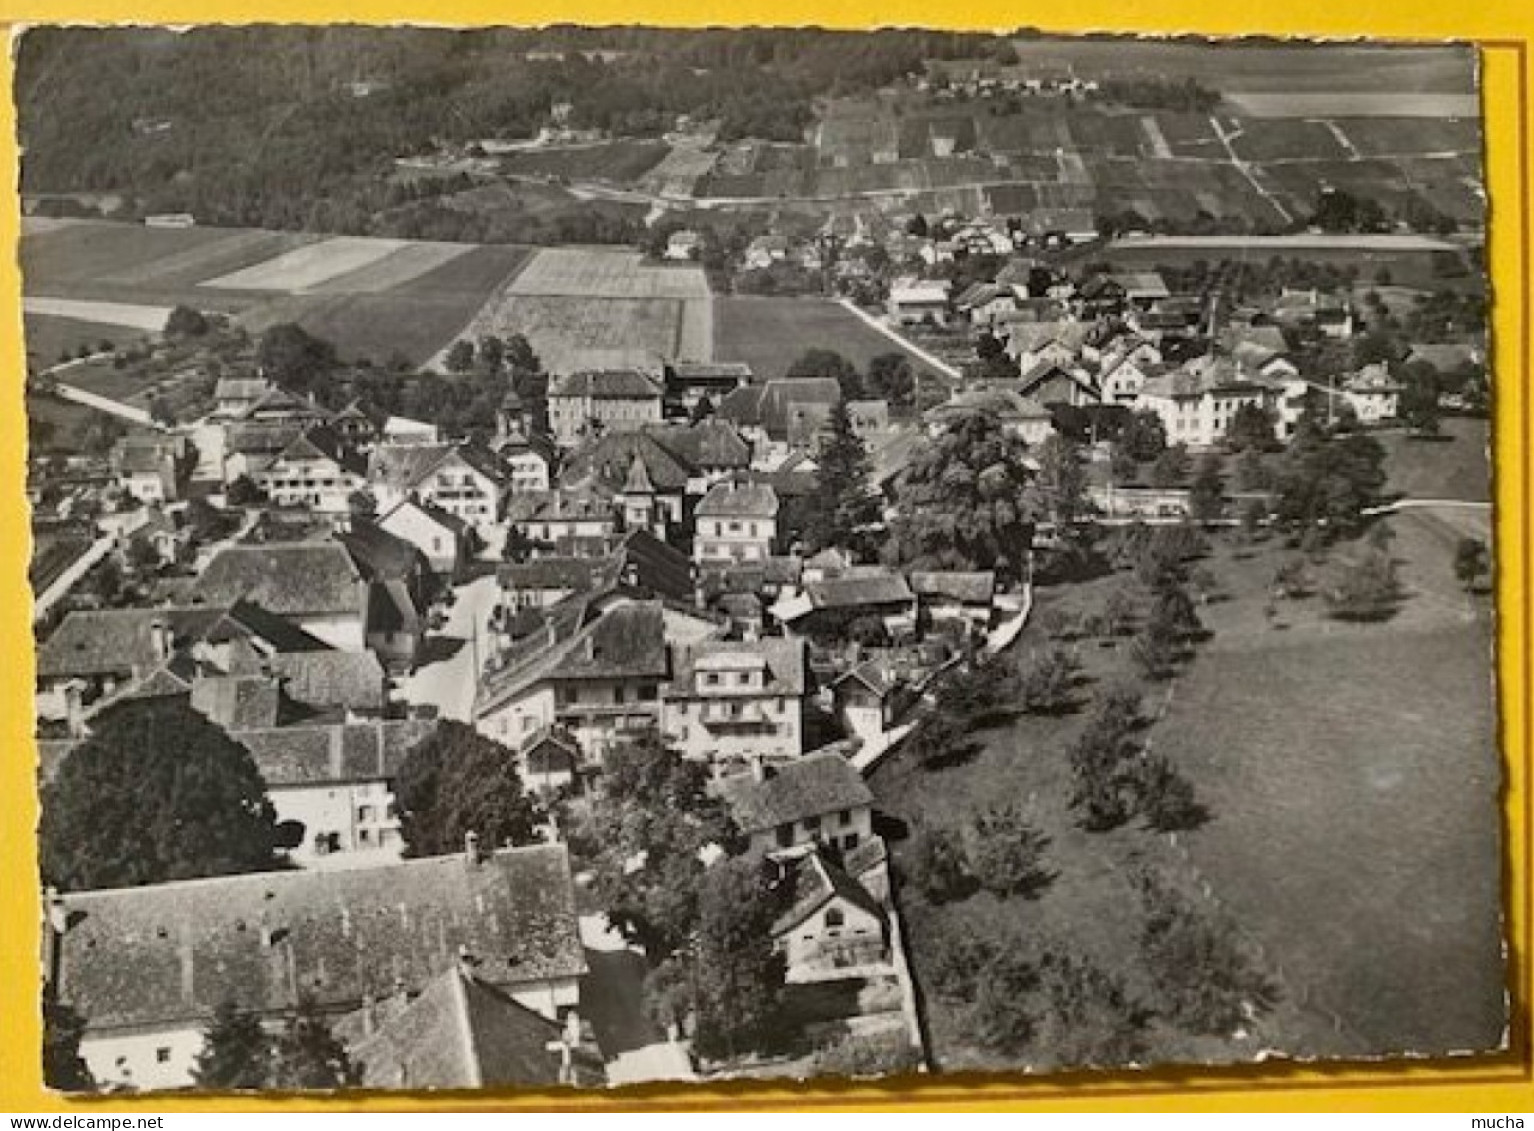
(568, 558)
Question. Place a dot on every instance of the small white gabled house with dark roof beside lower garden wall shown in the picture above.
(834, 928)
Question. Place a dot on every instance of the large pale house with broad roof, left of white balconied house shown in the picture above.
(594, 673)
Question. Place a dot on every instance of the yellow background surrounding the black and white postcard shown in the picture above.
(1501, 1084)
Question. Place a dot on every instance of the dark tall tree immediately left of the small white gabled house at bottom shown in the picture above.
(740, 971)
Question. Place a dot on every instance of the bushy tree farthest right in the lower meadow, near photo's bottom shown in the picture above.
(1205, 980)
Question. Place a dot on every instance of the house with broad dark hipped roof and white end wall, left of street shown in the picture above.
(315, 585)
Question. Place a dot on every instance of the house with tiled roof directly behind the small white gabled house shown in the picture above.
(820, 799)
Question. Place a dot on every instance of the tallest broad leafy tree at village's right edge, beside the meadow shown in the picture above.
(963, 503)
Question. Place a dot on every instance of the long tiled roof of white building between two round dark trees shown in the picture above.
(320, 754)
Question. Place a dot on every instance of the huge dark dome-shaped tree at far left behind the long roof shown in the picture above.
(156, 794)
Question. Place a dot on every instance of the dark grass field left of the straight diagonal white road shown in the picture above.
(769, 334)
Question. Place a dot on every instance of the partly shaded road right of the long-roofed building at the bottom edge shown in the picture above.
(613, 1001)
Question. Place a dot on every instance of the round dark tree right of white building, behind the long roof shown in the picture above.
(458, 782)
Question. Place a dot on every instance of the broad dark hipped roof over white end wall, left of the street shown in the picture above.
(286, 578)
